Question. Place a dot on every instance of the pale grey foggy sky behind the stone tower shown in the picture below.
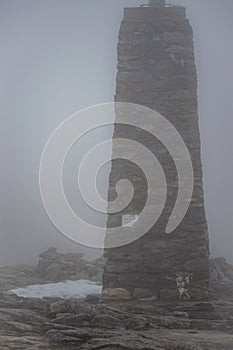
(59, 56)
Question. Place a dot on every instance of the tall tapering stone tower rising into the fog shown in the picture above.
(156, 69)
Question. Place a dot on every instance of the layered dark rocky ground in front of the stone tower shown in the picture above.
(49, 323)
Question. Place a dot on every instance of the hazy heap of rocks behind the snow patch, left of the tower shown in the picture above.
(52, 267)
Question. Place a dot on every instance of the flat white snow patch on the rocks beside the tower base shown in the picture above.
(67, 289)
